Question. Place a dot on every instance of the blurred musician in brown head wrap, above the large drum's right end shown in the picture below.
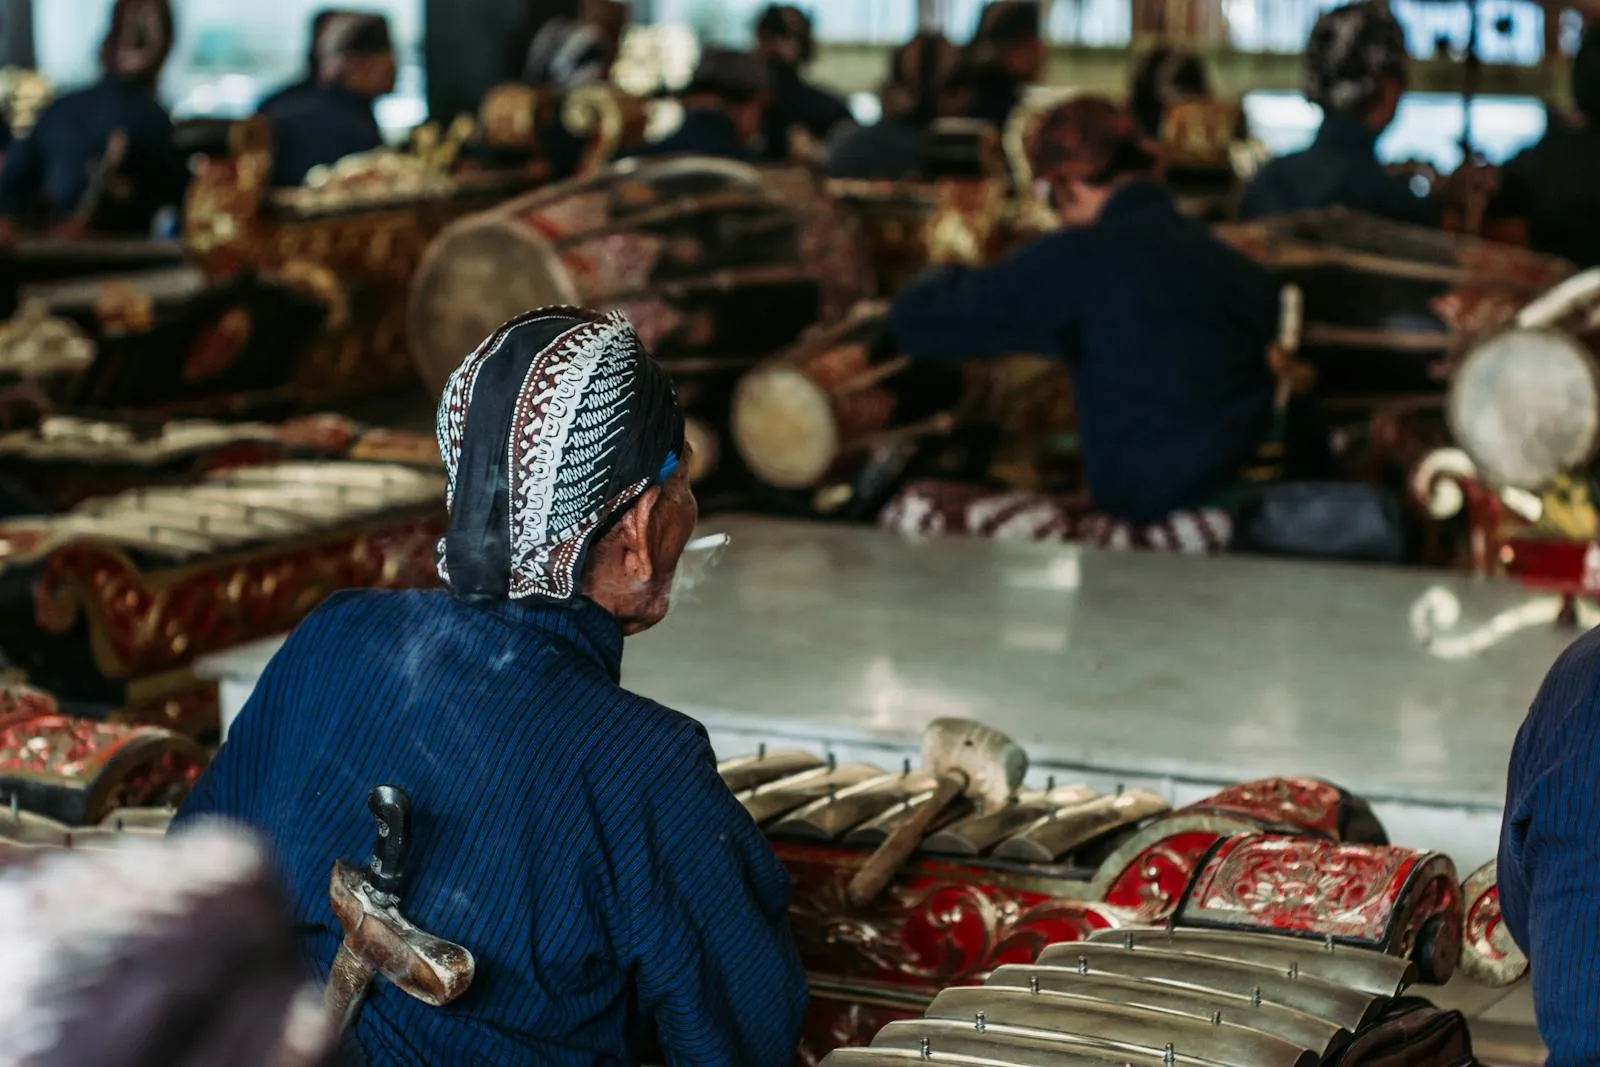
(927, 82)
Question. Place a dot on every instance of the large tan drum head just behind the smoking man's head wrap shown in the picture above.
(476, 276)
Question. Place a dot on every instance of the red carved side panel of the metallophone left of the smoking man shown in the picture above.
(143, 625)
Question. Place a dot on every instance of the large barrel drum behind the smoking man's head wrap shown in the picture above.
(711, 260)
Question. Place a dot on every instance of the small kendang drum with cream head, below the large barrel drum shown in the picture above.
(814, 417)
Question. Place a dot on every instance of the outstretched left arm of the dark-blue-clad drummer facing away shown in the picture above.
(1014, 308)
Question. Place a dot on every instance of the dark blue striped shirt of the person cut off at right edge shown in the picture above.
(1550, 855)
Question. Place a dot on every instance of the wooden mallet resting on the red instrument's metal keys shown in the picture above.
(970, 761)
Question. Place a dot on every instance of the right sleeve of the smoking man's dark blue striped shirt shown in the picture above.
(708, 921)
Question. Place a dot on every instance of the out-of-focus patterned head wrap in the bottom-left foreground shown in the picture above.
(175, 951)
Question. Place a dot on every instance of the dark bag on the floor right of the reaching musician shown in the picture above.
(1322, 521)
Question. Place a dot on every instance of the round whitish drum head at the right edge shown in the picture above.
(1526, 406)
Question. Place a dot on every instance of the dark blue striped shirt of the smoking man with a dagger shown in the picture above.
(574, 836)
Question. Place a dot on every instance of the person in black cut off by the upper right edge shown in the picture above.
(1554, 188)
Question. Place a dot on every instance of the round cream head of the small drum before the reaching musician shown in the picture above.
(785, 428)
